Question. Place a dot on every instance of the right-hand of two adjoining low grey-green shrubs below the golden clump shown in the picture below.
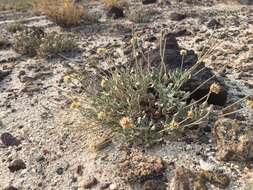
(53, 44)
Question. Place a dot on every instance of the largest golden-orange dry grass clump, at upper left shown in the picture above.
(65, 13)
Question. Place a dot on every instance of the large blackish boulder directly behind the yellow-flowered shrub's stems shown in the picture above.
(173, 60)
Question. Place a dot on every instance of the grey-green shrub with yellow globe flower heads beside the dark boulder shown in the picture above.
(141, 103)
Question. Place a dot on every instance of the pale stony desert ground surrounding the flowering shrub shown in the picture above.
(45, 145)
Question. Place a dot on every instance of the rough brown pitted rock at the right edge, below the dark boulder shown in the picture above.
(234, 140)
